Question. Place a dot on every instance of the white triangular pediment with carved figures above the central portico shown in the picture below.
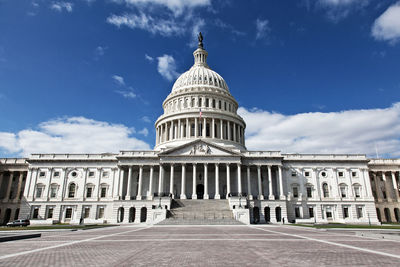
(199, 148)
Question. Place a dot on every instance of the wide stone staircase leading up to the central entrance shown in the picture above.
(200, 212)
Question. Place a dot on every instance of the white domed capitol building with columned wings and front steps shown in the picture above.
(200, 166)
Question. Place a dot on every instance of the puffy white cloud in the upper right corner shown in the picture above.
(387, 26)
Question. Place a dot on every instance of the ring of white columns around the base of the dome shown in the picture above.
(200, 127)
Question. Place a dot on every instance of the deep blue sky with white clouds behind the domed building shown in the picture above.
(90, 76)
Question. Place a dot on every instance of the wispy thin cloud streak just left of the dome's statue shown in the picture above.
(164, 27)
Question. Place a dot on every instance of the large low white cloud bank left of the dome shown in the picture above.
(72, 135)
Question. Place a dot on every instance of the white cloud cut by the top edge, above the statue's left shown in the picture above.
(175, 6)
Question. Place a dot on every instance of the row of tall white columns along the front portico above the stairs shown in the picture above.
(206, 183)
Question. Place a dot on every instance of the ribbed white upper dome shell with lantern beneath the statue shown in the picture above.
(200, 74)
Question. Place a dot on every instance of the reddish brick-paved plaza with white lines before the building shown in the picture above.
(200, 246)
